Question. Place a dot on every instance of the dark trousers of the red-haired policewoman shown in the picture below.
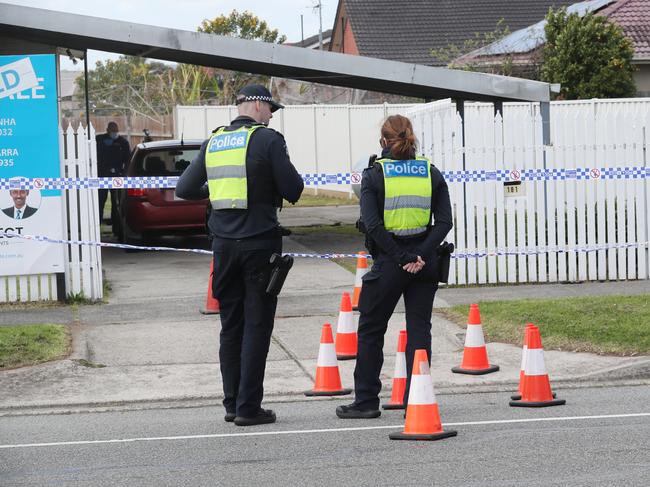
(382, 287)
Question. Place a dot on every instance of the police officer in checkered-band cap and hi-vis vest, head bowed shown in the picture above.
(248, 173)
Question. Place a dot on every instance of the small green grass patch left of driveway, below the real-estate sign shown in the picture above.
(32, 344)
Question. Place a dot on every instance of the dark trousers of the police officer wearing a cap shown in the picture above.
(241, 274)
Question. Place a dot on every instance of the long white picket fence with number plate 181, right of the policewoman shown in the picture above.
(551, 234)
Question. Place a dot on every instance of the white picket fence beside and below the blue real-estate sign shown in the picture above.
(83, 269)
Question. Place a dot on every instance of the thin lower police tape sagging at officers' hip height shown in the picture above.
(460, 254)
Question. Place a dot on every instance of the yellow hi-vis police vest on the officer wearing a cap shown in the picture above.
(225, 163)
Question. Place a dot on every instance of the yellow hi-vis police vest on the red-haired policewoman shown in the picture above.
(407, 201)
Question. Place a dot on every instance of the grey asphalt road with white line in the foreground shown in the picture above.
(600, 438)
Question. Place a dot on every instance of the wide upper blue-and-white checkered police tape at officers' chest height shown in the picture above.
(479, 175)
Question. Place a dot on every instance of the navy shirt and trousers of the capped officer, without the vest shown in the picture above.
(243, 241)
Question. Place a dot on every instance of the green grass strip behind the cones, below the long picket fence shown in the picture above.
(613, 325)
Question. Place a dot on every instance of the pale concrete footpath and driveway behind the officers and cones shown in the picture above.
(149, 346)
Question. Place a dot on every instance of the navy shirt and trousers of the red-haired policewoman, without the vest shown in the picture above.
(387, 281)
